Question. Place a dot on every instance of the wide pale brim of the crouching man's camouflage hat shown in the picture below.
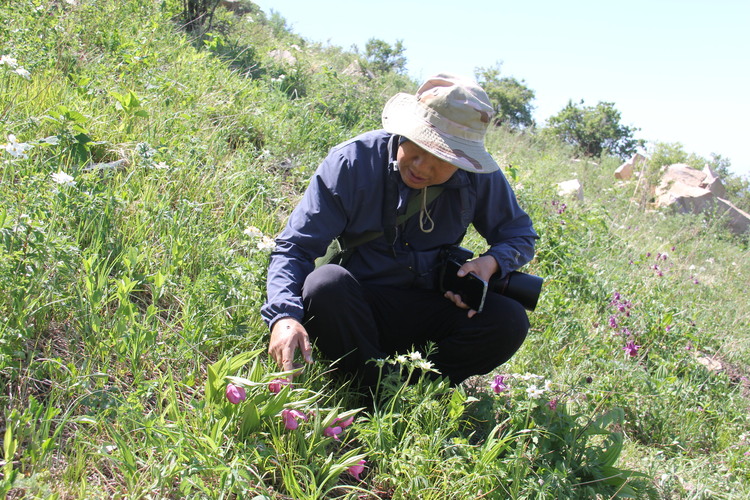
(403, 115)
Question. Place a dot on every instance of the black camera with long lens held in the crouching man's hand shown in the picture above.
(522, 287)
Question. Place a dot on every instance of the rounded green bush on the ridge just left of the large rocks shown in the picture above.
(594, 130)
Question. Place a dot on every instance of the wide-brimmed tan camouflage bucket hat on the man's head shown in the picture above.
(448, 117)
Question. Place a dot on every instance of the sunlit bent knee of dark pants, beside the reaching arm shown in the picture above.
(327, 287)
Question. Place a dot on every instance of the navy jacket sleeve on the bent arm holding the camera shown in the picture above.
(504, 224)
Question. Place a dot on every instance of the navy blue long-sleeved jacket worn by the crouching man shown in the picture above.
(346, 196)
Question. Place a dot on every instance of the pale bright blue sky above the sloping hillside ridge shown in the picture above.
(677, 70)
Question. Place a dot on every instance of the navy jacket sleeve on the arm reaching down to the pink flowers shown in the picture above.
(313, 224)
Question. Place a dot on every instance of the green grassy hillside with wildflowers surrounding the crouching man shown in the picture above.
(145, 171)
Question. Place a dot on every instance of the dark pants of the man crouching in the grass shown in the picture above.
(358, 322)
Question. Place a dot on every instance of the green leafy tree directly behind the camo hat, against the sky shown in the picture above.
(510, 98)
